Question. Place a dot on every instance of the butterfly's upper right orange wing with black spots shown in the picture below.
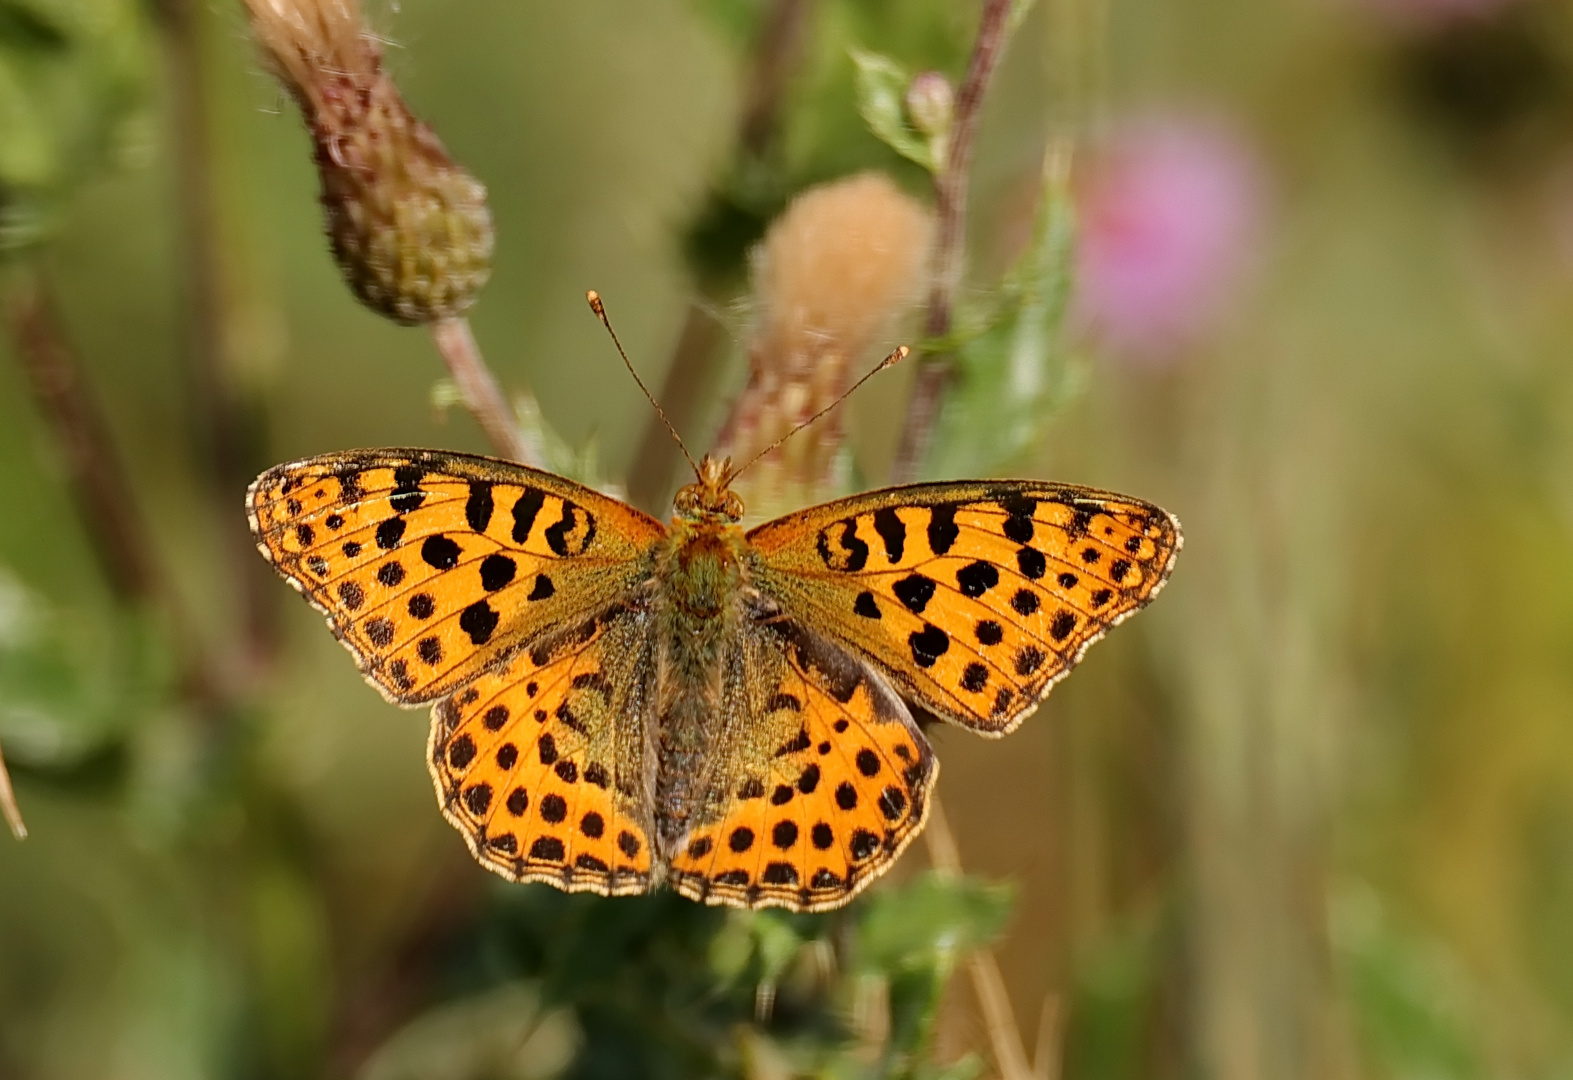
(976, 597)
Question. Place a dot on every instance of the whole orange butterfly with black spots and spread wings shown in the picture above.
(621, 705)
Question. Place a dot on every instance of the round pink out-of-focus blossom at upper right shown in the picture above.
(1171, 215)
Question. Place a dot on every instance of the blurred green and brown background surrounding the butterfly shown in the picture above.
(1300, 273)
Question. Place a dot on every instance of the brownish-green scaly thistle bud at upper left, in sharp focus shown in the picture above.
(408, 226)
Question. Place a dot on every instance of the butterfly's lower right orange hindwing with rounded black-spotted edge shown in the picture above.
(833, 777)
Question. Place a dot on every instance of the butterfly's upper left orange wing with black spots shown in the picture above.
(430, 567)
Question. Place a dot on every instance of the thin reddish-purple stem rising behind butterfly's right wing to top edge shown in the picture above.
(951, 197)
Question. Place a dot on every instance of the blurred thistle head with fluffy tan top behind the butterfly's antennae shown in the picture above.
(834, 273)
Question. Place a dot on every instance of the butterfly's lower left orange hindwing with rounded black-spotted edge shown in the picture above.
(543, 766)
